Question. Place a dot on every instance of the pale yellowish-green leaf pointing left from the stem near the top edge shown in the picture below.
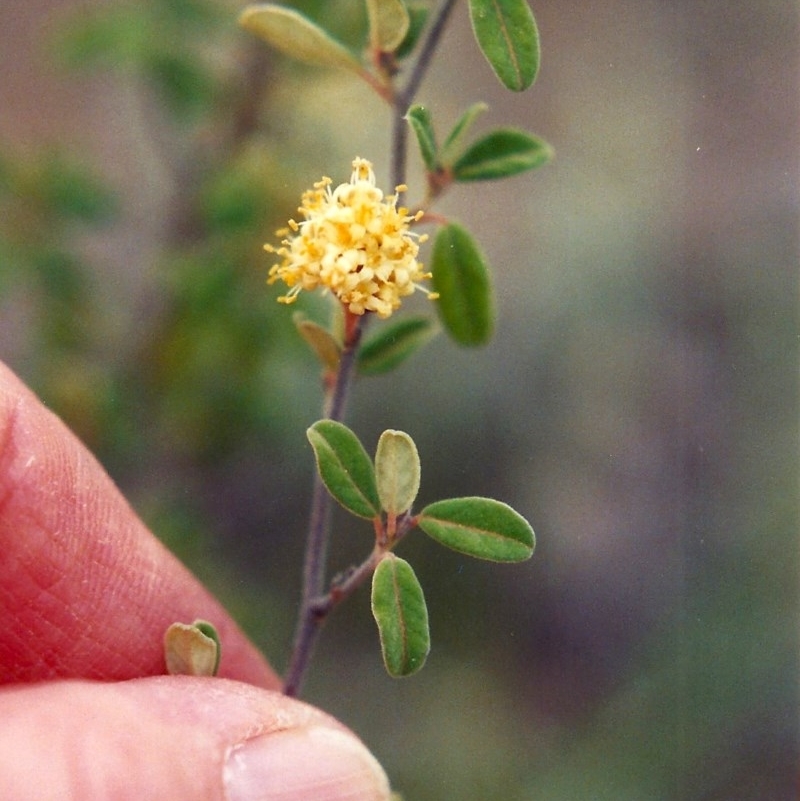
(297, 36)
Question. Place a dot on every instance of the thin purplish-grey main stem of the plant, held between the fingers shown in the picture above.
(316, 605)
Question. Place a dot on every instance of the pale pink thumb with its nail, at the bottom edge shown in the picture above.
(176, 737)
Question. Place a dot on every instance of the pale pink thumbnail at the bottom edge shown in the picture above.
(299, 764)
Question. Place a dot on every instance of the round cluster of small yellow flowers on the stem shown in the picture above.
(354, 242)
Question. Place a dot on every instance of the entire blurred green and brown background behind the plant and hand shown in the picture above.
(638, 404)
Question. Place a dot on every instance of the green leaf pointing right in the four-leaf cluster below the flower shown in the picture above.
(480, 527)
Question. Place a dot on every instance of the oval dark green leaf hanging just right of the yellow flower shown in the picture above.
(461, 277)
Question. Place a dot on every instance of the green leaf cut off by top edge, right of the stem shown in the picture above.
(507, 36)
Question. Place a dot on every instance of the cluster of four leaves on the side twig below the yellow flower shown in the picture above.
(383, 490)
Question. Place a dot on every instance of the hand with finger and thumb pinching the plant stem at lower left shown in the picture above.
(86, 593)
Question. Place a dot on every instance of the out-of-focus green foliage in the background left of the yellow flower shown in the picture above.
(193, 381)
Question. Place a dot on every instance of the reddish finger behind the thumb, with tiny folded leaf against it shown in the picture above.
(86, 591)
